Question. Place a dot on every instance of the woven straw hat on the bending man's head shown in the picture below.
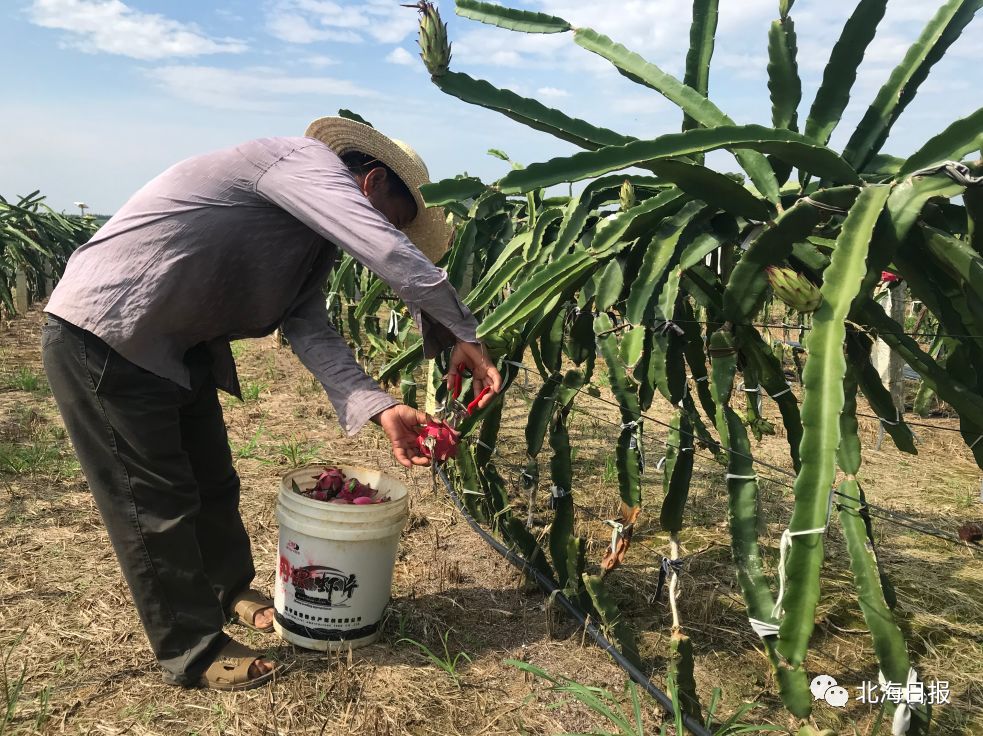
(429, 230)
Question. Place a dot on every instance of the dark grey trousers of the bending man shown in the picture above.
(156, 457)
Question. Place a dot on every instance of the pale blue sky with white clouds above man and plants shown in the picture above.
(101, 95)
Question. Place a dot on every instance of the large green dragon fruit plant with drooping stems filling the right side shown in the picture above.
(658, 264)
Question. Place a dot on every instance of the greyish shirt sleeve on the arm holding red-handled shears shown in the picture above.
(313, 185)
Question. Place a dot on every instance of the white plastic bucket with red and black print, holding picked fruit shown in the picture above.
(336, 561)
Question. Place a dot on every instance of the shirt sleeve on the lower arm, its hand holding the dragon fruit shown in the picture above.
(354, 395)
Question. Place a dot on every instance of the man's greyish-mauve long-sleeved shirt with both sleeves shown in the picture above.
(233, 244)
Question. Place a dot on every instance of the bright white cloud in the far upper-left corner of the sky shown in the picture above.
(113, 27)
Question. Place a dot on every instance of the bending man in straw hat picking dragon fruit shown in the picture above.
(223, 246)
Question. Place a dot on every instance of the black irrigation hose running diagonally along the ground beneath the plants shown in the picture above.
(694, 726)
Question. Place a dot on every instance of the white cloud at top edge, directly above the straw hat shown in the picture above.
(307, 21)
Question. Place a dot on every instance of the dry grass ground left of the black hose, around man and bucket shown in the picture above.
(67, 624)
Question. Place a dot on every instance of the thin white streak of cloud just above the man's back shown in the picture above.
(260, 89)
